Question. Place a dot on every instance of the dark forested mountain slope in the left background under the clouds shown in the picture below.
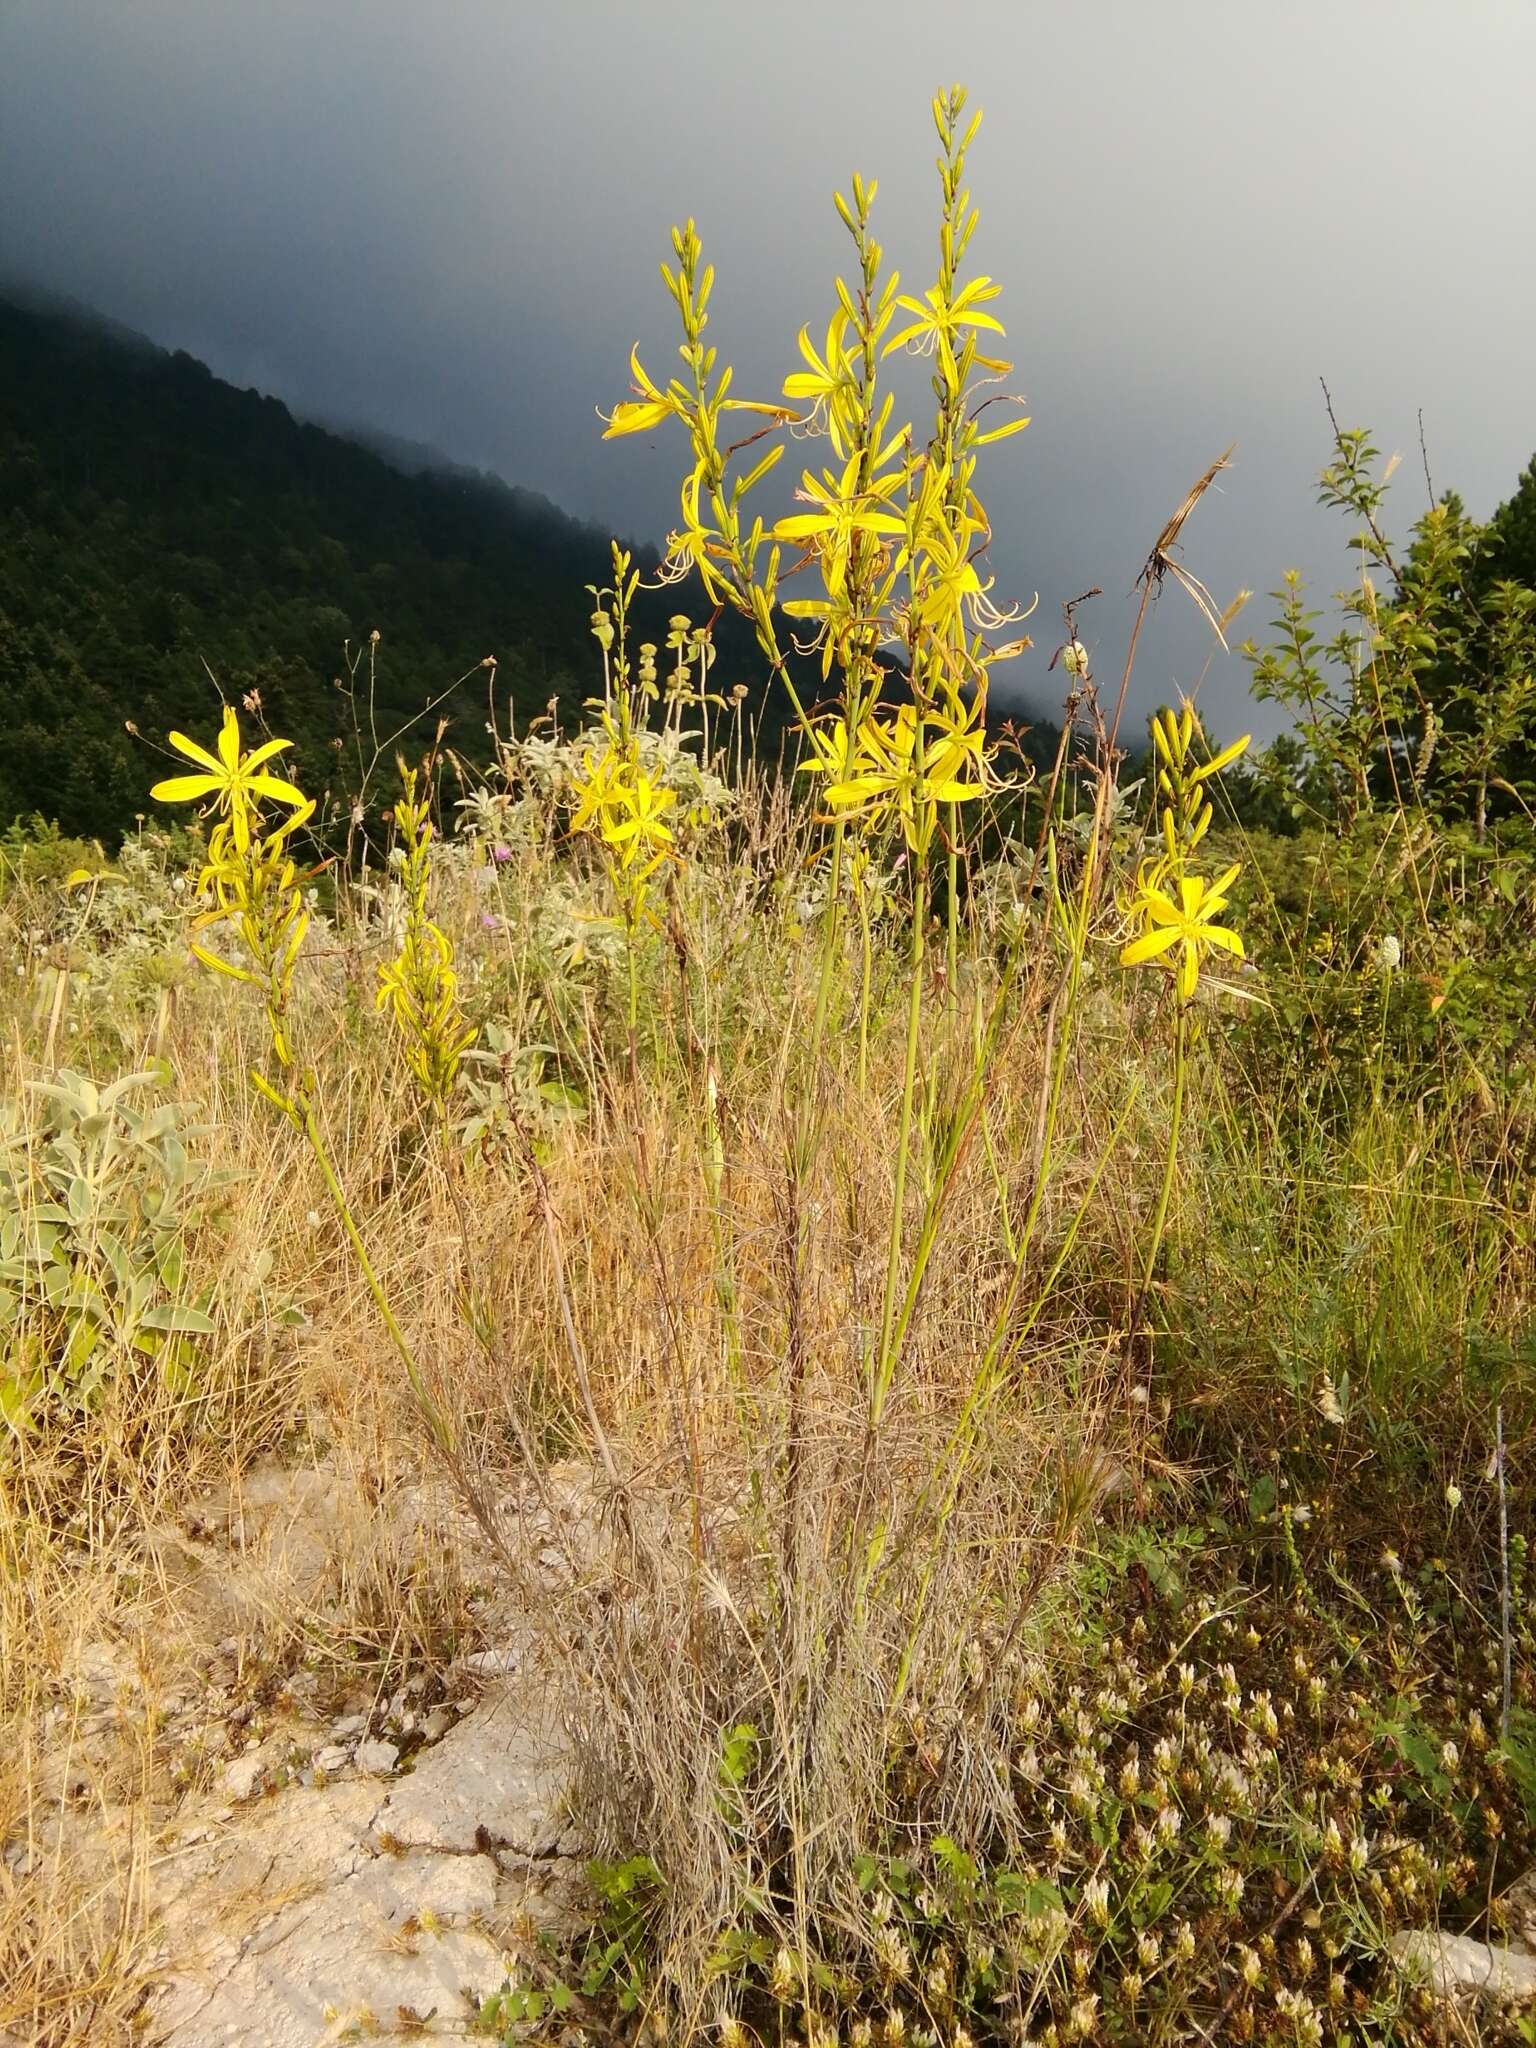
(155, 519)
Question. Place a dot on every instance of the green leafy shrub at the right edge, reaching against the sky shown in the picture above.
(1402, 916)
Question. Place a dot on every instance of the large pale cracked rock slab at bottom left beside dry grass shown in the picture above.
(353, 1910)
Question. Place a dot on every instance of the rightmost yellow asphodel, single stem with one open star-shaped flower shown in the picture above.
(1175, 912)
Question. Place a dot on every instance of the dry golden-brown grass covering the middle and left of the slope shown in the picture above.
(759, 1560)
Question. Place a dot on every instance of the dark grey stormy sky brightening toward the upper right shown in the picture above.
(445, 220)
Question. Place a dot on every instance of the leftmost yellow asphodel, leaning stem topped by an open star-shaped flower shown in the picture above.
(255, 890)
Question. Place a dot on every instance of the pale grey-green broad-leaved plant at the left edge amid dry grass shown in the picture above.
(95, 1209)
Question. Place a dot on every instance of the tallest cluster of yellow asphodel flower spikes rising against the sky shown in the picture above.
(894, 531)
